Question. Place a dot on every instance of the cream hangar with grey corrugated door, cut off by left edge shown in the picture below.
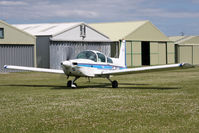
(16, 47)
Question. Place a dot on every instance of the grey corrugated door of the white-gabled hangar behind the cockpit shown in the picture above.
(61, 51)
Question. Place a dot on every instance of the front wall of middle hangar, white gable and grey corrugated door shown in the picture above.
(68, 44)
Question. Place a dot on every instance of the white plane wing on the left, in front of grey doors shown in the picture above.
(32, 69)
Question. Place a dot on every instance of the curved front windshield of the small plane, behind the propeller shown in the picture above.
(87, 55)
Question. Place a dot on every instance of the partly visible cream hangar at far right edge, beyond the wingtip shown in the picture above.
(186, 49)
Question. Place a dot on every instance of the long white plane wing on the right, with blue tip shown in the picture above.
(143, 69)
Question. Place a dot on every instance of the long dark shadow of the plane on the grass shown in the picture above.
(97, 85)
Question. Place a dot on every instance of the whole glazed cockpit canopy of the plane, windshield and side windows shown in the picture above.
(94, 56)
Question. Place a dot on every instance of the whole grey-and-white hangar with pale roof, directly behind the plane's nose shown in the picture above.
(62, 41)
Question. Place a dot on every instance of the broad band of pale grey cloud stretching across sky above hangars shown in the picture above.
(102, 10)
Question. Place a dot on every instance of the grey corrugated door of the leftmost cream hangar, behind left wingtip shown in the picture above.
(20, 55)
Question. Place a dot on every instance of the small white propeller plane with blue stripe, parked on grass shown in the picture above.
(94, 64)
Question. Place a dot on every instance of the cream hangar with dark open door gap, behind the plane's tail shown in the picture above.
(146, 45)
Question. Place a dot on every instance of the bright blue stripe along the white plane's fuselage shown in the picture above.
(100, 66)
